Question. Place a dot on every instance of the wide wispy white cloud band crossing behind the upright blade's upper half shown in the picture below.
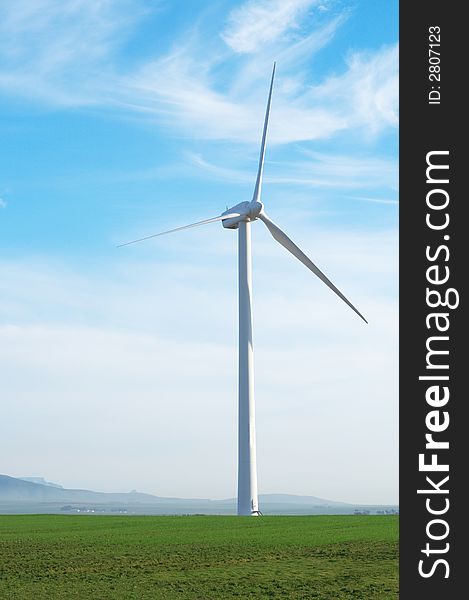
(363, 98)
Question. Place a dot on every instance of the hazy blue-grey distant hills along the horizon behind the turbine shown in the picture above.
(28, 495)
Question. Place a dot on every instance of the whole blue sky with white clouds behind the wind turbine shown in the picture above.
(123, 118)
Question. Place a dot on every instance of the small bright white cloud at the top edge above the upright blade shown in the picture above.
(259, 22)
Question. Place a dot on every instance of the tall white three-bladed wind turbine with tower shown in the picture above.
(240, 217)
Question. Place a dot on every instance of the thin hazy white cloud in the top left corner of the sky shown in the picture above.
(61, 52)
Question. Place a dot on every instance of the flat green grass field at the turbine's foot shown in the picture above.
(179, 558)
